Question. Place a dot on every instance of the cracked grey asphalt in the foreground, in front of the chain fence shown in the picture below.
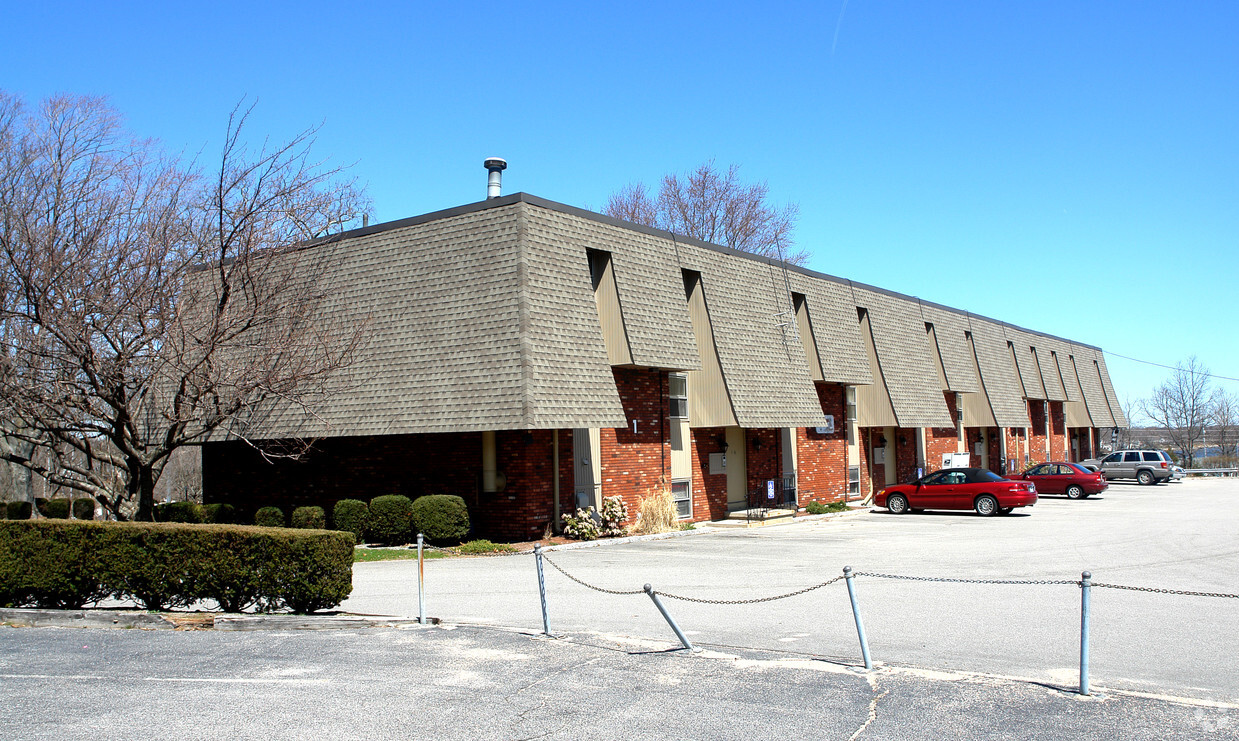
(481, 683)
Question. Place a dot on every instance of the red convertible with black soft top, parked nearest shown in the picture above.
(960, 489)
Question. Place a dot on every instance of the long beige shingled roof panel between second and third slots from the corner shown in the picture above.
(764, 365)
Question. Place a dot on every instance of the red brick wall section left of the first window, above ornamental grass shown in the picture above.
(637, 465)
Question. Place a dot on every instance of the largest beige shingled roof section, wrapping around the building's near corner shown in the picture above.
(475, 325)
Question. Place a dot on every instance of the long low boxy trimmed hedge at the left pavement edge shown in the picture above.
(160, 566)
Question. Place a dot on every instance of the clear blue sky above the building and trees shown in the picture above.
(1072, 168)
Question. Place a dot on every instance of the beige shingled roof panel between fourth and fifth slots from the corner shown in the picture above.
(910, 372)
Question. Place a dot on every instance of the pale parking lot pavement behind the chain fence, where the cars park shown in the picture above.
(1179, 537)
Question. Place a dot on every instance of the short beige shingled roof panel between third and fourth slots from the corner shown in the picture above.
(836, 330)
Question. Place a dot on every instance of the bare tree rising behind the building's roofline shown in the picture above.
(714, 206)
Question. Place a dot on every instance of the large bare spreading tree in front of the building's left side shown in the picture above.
(146, 305)
